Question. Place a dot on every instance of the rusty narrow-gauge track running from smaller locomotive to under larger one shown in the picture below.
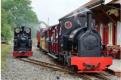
(85, 76)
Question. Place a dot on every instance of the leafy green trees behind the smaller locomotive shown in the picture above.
(16, 13)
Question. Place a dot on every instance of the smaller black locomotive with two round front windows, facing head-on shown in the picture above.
(22, 42)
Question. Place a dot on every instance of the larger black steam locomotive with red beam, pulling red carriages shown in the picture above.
(75, 43)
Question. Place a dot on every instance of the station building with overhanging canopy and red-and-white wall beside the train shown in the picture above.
(108, 23)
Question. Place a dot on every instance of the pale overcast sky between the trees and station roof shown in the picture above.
(51, 10)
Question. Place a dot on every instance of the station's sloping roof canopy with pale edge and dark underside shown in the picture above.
(103, 13)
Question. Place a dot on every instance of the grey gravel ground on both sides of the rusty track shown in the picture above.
(19, 70)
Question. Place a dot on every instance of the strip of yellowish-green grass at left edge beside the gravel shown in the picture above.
(5, 50)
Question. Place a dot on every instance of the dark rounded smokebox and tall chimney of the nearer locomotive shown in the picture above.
(89, 41)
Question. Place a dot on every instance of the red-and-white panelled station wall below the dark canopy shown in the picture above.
(110, 33)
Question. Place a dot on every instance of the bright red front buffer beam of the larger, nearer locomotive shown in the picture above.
(91, 64)
